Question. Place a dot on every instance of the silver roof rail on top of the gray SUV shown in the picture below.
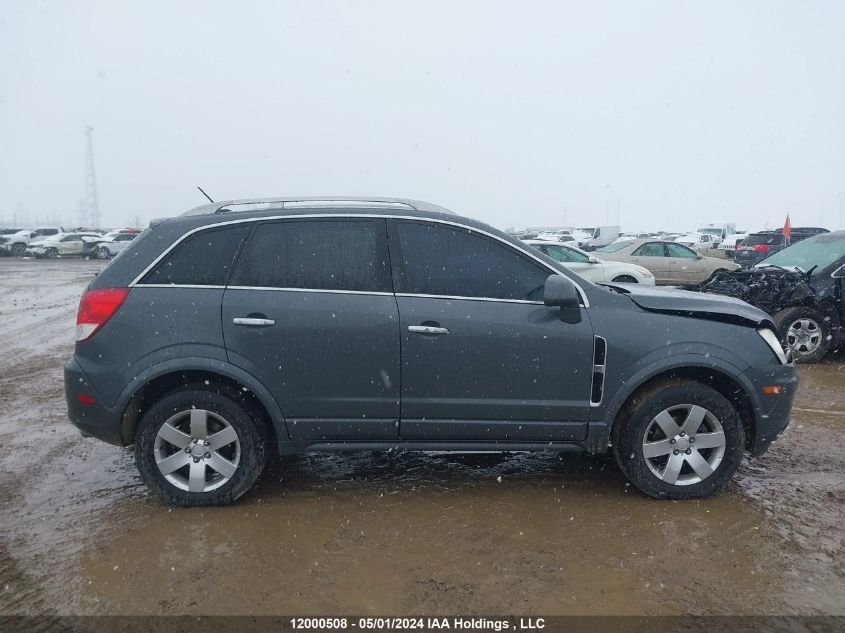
(259, 204)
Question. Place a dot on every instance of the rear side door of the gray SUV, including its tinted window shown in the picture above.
(310, 312)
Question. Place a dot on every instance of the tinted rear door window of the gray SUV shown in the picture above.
(319, 254)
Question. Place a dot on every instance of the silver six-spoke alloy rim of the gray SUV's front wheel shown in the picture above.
(684, 444)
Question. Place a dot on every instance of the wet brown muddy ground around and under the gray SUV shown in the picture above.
(387, 533)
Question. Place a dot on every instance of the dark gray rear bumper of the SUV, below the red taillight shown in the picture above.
(92, 418)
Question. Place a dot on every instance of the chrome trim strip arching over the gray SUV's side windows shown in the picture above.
(300, 216)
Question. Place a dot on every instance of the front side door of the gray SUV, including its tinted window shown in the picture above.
(483, 359)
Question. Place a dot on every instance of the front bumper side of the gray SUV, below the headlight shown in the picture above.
(771, 411)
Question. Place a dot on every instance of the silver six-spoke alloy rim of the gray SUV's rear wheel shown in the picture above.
(197, 450)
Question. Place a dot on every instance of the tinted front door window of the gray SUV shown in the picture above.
(453, 261)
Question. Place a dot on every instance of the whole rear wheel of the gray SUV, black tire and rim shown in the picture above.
(241, 458)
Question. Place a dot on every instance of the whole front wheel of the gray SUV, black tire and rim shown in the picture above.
(646, 453)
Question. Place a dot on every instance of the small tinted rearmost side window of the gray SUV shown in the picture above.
(203, 259)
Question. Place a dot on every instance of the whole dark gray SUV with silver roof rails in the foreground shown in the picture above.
(247, 329)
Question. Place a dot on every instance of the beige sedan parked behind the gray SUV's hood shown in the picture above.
(671, 263)
